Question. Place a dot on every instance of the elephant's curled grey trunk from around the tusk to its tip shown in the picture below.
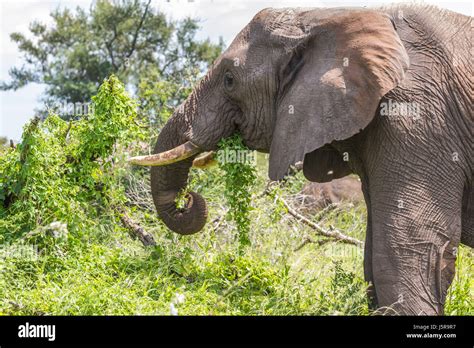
(169, 180)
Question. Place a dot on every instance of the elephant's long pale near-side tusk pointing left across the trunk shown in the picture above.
(174, 155)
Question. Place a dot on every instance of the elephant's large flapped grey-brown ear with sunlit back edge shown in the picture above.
(332, 81)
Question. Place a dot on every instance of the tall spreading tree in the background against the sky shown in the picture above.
(127, 38)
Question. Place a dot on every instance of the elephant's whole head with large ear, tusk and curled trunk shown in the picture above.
(290, 82)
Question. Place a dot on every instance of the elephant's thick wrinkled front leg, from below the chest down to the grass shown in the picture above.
(416, 229)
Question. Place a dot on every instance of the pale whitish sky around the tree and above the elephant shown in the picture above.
(218, 18)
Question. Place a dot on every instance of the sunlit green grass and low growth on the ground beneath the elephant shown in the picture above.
(104, 272)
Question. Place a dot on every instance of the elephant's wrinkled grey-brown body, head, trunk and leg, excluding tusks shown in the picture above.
(334, 68)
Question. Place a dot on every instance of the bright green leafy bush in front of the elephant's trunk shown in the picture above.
(60, 168)
